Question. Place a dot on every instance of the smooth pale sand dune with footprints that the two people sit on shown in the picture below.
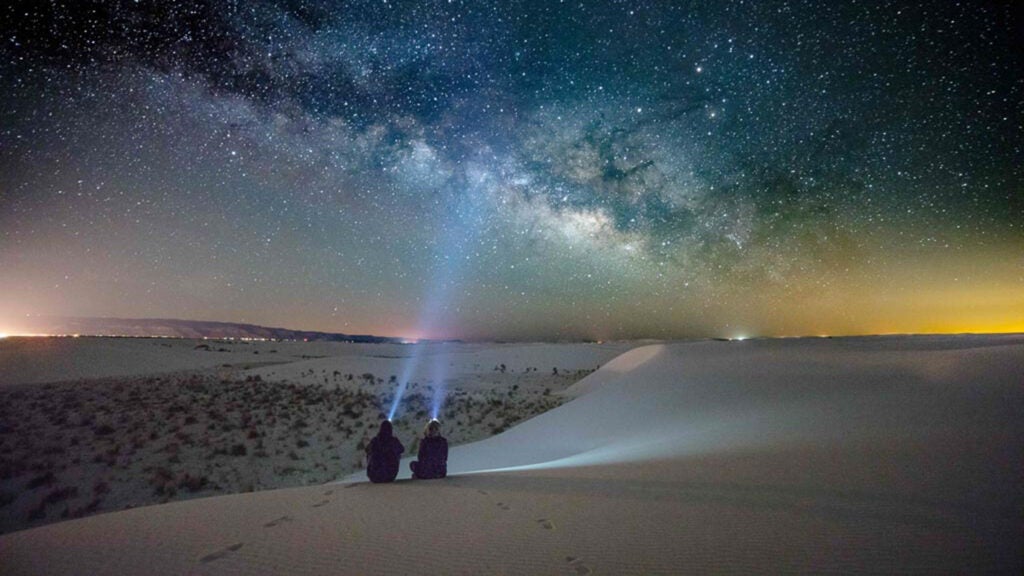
(875, 456)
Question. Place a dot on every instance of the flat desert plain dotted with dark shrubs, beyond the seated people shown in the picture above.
(90, 445)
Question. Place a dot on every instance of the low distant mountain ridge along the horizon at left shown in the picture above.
(175, 328)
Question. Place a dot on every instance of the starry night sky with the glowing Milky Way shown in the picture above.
(517, 170)
